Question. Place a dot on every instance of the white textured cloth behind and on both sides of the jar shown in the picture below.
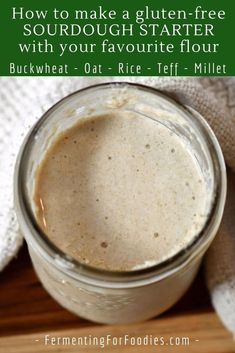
(25, 99)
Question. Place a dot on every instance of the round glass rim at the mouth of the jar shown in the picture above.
(160, 270)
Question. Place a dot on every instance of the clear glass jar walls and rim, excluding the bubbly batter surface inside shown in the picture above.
(108, 296)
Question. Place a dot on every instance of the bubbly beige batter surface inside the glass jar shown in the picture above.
(120, 192)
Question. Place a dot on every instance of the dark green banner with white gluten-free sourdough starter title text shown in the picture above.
(105, 38)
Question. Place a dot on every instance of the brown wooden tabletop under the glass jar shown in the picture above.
(27, 314)
